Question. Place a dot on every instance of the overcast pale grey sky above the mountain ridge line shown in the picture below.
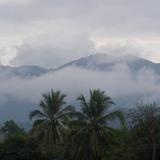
(50, 33)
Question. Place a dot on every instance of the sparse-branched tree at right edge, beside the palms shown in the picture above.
(145, 122)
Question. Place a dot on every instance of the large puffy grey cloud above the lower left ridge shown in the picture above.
(53, 50)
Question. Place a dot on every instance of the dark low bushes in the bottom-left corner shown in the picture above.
(20, 148)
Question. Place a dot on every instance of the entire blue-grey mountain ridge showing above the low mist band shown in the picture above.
(96, 62)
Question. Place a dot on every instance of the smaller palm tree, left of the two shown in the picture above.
(50, 121)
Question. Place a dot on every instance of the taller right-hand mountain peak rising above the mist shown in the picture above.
(104, 62)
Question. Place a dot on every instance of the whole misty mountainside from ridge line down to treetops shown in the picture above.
(126, 79)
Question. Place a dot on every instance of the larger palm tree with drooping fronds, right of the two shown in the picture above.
(90, 134)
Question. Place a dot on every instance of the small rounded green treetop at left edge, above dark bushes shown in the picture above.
(10, 128)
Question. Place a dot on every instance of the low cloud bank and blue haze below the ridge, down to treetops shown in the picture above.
(119, 84)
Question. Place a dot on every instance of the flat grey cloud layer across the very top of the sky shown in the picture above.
(118, 17)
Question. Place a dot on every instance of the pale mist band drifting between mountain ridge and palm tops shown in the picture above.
(73, 81)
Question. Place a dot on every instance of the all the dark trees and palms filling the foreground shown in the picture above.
(63, 132)
